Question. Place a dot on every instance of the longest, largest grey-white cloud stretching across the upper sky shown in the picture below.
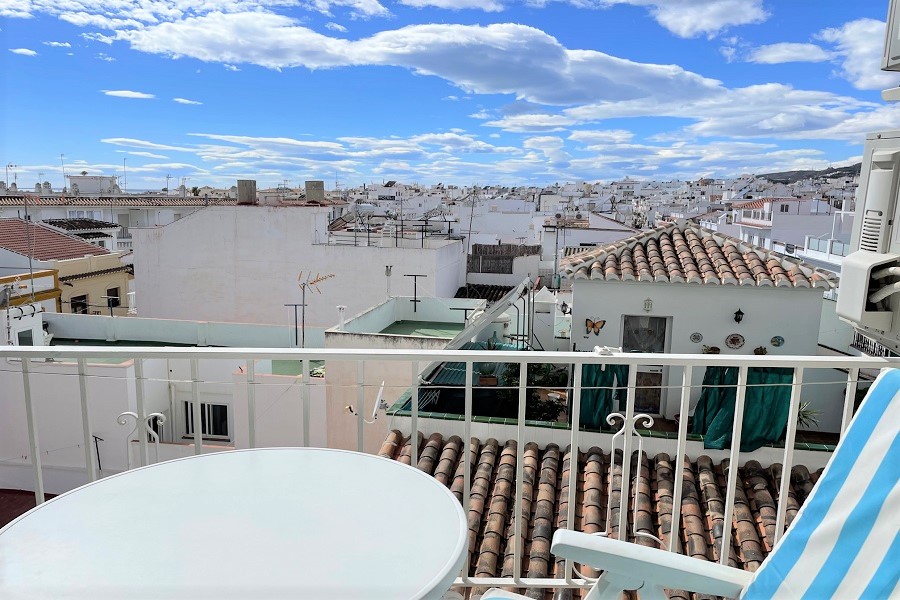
(493, 59)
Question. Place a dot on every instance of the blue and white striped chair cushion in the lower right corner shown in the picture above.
(844, 542)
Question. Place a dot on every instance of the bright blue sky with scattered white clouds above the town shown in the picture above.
(454, 91)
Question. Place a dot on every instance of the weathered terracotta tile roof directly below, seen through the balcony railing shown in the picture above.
(545, 489)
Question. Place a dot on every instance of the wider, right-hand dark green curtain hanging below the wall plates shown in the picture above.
(766, 406)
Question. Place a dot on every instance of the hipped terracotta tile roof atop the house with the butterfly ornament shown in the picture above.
(687, 253)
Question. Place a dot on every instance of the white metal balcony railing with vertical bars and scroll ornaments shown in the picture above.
(627, 438)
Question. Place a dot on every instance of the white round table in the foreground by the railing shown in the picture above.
(249, 524)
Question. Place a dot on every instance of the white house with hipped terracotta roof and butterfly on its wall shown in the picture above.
(678, 289)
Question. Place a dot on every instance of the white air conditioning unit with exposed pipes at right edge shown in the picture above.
(870, 276)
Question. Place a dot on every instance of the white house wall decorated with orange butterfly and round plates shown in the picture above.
(709, 310)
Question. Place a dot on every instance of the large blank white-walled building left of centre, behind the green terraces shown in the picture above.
(242, 264)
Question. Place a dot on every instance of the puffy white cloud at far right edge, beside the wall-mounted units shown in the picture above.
(859, 45)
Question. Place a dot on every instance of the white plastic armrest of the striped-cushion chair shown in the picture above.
(656, 567)
